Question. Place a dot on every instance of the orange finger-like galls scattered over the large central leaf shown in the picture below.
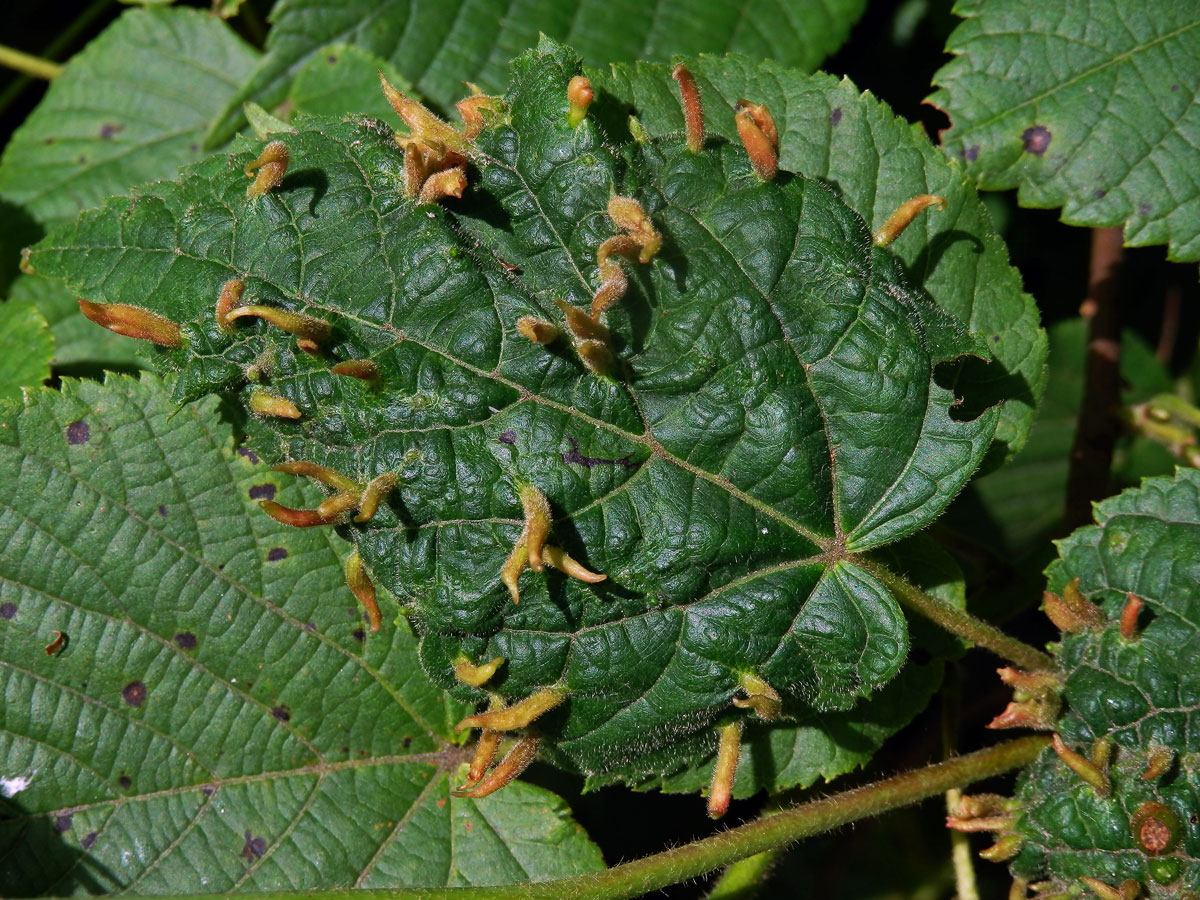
(436, 159)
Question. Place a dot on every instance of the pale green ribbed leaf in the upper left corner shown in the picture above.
(131, 107)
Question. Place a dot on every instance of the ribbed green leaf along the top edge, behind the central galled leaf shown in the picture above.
(439, 46)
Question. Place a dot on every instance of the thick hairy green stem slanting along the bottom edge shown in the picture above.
(701, 857)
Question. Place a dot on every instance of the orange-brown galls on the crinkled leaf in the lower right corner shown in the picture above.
(1156, 831)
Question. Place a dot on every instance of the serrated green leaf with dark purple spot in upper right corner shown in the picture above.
(1089, 106)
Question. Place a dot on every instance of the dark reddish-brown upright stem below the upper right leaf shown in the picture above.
(1096, 434)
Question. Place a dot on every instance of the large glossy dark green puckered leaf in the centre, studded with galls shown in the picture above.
(778, 405)
